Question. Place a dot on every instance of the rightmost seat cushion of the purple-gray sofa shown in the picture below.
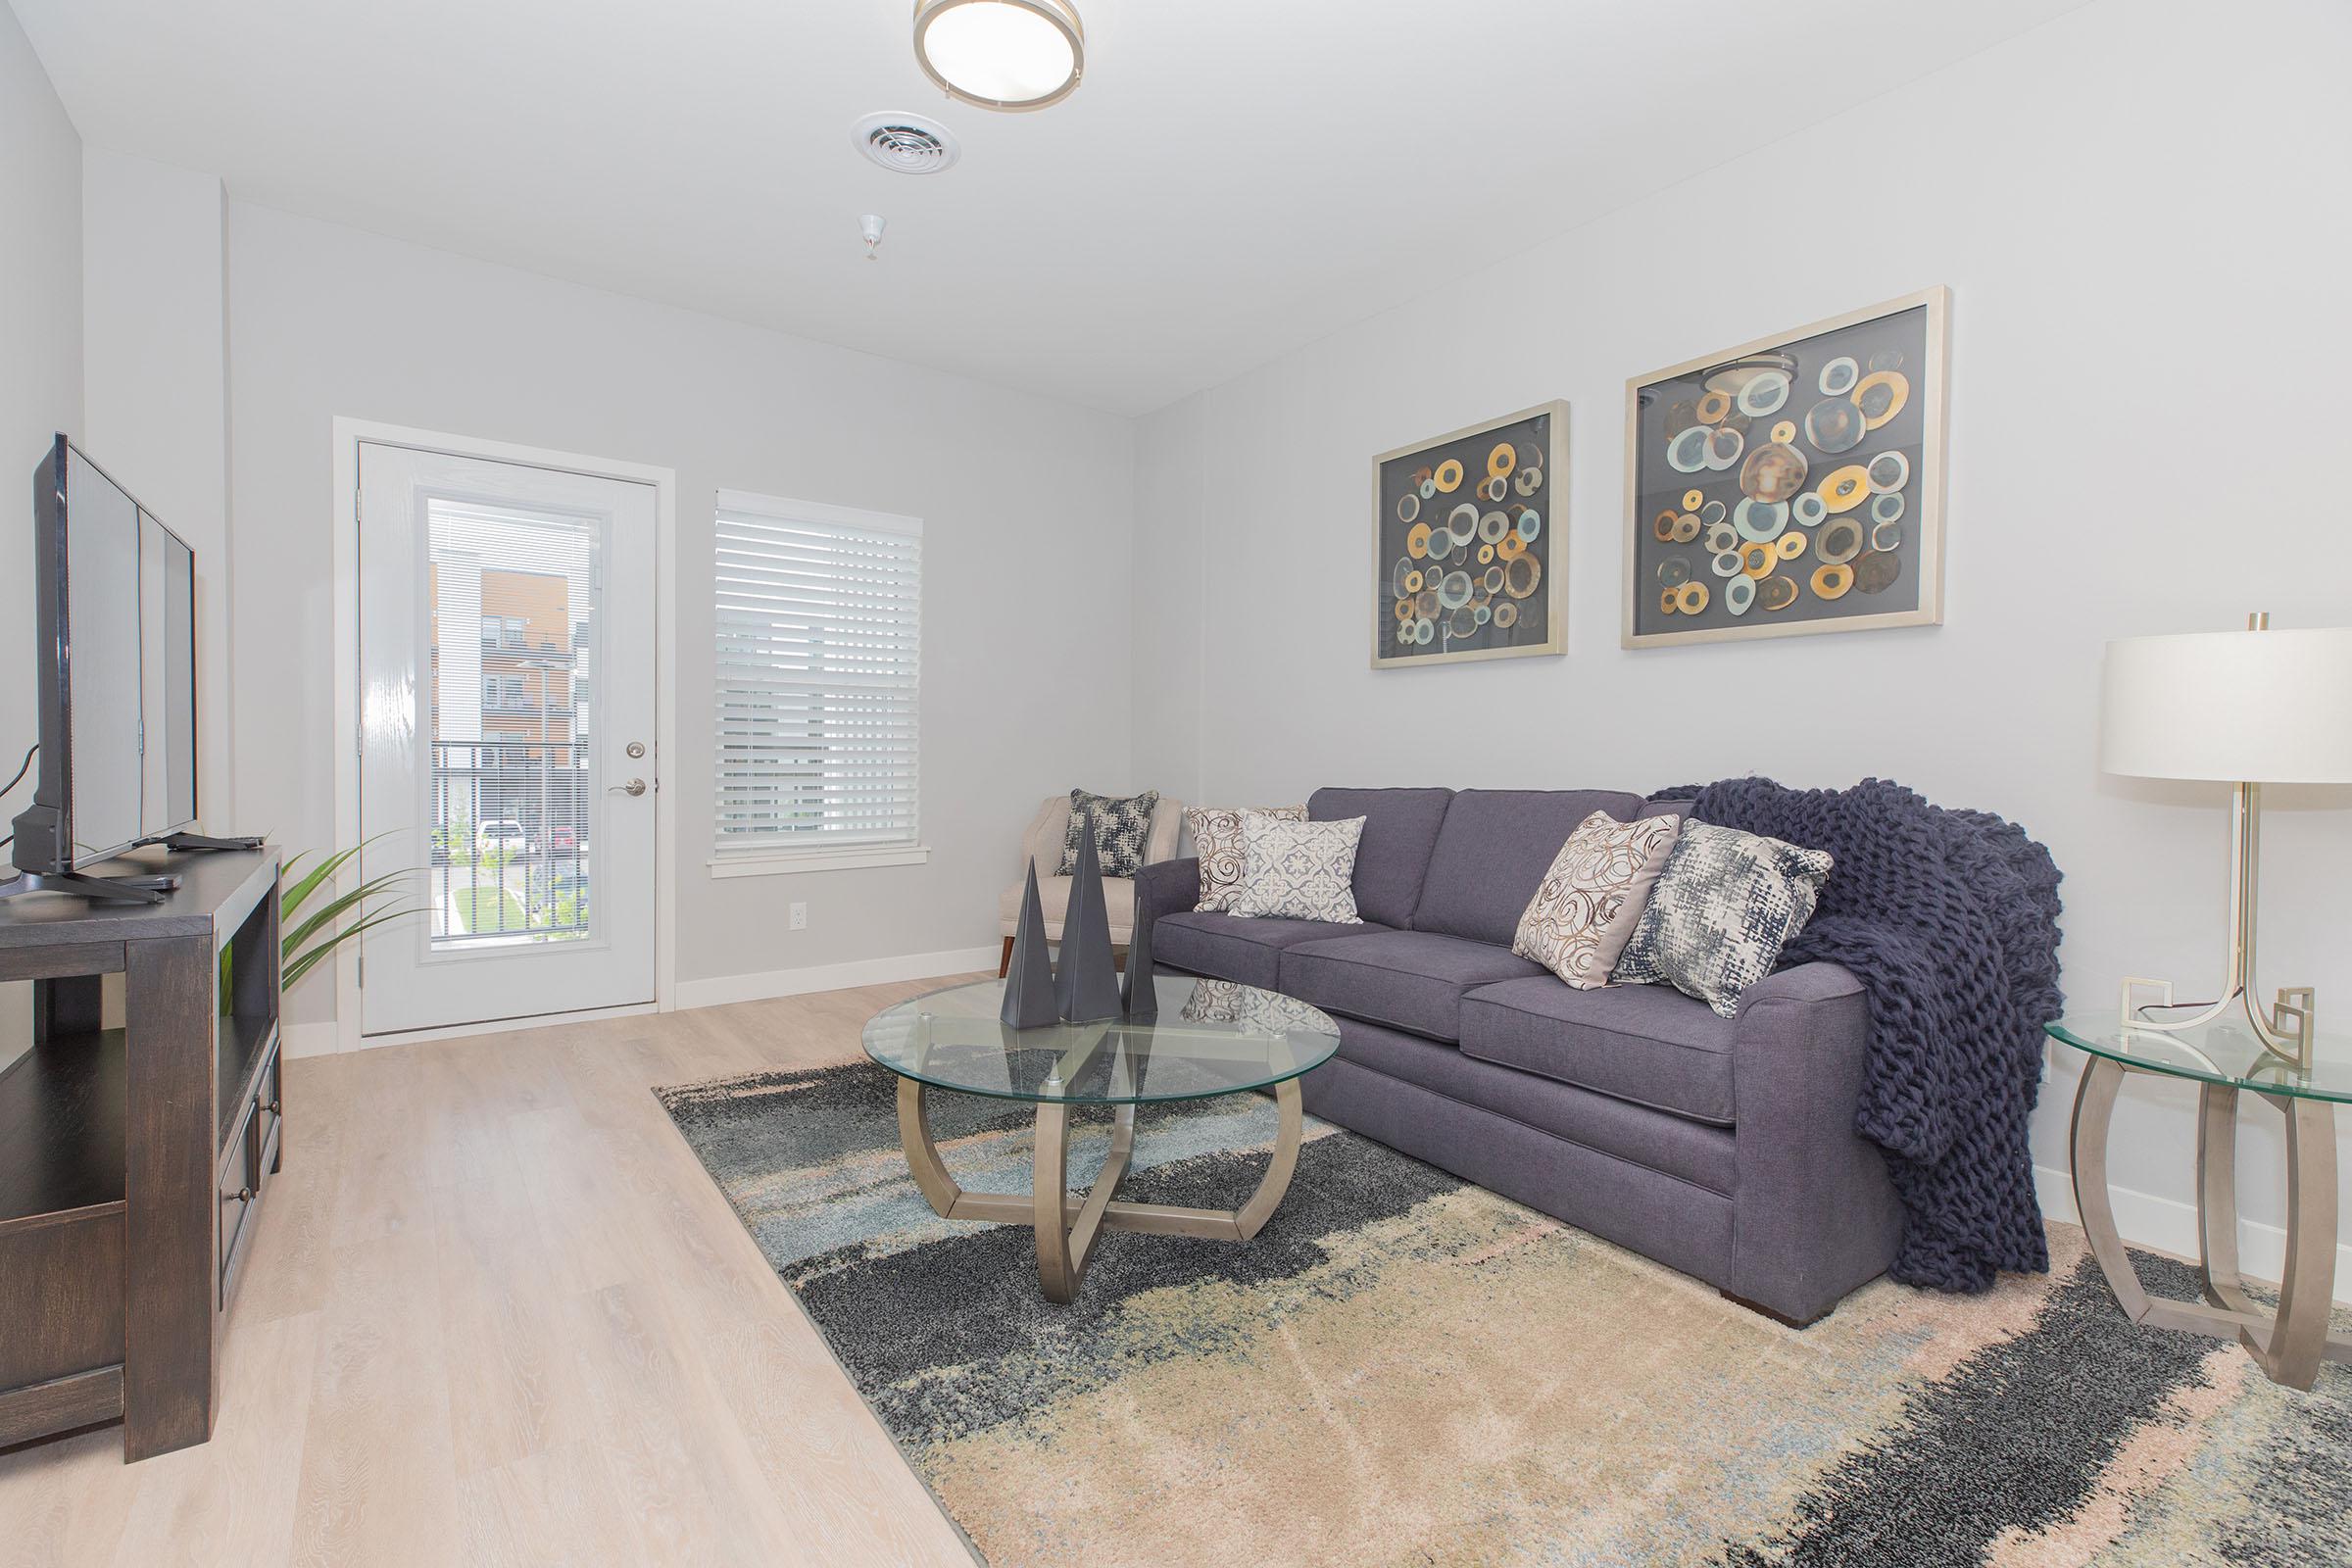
(1638, 1043)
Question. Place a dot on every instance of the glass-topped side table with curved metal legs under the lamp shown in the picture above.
(2224, 1059)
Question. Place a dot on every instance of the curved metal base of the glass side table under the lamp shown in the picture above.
(2287, 1346)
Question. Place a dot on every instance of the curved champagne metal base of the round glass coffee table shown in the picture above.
(1071, 1224)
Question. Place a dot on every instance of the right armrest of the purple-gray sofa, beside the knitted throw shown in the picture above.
(1815, 1209)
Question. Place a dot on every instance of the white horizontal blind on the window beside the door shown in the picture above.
(820, 648)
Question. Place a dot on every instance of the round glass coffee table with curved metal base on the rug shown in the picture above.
(1210, 1038)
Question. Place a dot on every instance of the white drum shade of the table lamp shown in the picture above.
(2233, 706)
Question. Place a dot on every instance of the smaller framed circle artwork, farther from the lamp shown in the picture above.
(1478, 568)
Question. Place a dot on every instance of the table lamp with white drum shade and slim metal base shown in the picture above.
(2243, 709)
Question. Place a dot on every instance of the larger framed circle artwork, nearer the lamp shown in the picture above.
(1855, 518)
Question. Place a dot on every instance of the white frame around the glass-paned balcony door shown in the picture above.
(347, 697)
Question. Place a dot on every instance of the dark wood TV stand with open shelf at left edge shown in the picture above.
(133, 1160)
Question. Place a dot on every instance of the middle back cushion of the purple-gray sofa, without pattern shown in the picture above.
(1492, 852)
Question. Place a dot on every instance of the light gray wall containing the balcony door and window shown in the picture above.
(1027, 549)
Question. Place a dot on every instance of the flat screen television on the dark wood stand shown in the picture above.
(116, 671)
